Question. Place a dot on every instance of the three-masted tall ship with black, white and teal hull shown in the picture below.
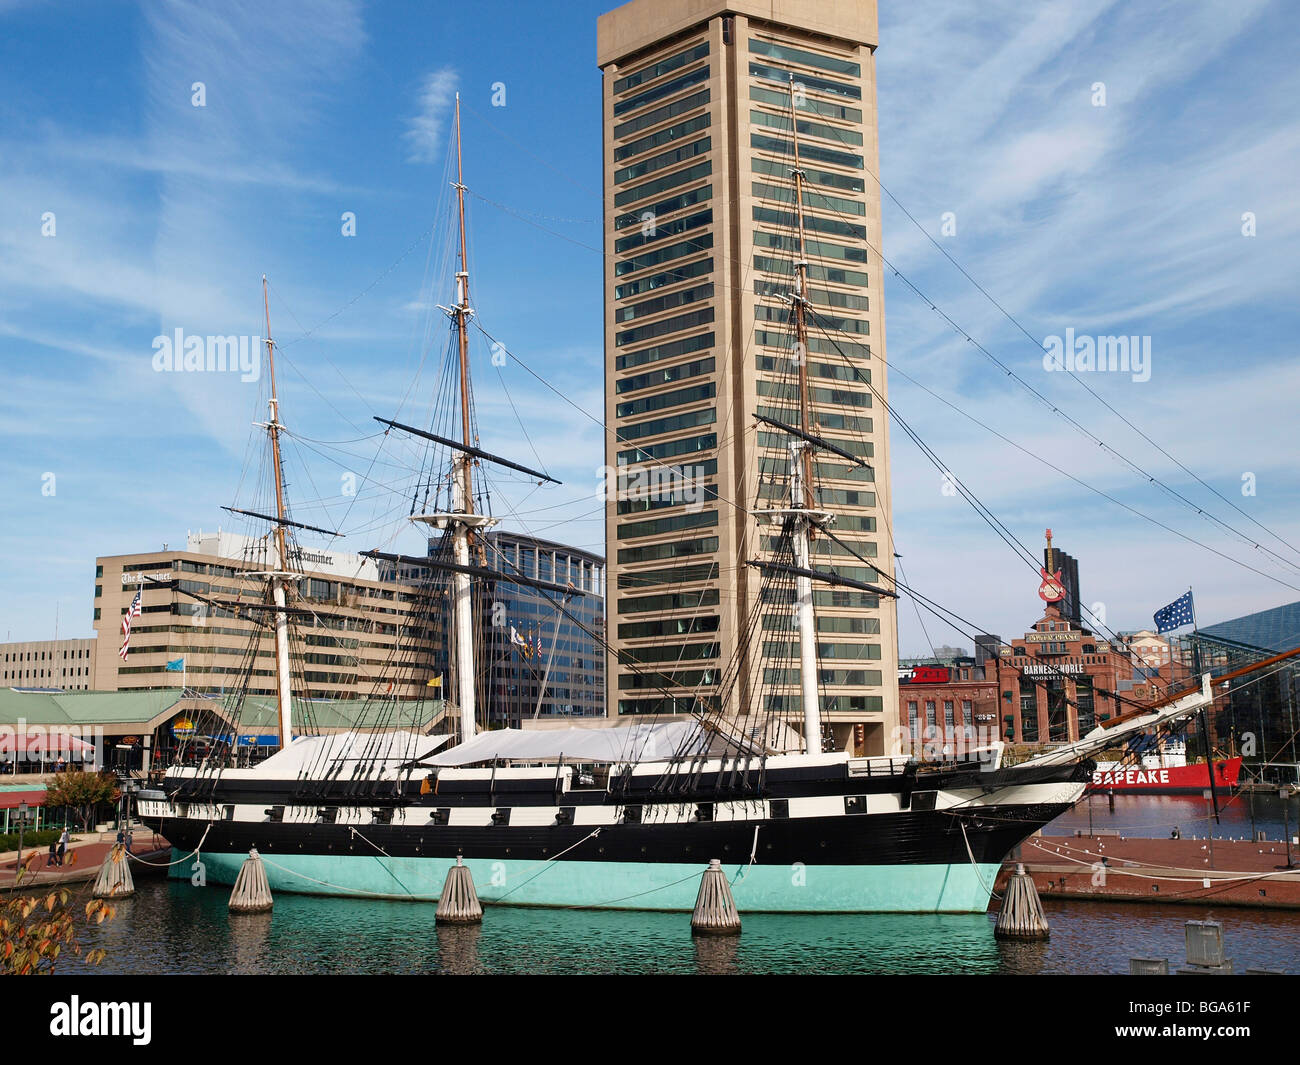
(621, 817)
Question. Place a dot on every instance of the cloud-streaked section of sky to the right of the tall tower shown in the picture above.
(1116, 219)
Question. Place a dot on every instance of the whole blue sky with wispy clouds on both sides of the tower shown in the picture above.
(1124, 219)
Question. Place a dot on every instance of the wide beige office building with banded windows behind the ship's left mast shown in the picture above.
(357, 635)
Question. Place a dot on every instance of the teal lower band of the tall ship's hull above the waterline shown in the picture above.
(635, 886)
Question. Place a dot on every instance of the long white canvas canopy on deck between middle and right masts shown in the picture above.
(640, 743)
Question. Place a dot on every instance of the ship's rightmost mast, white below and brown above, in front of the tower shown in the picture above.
(803, 508)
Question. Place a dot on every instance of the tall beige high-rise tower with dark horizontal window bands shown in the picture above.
(703, 105)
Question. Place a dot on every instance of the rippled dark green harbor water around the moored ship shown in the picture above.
(174, 928)
